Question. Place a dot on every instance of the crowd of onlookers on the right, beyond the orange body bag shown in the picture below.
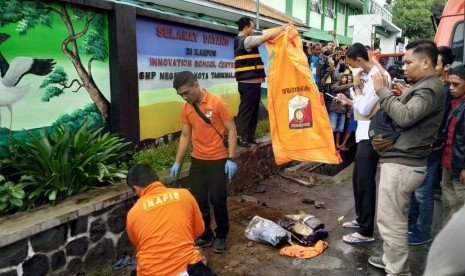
(425, 99)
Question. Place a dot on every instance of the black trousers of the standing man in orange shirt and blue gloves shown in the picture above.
(208, 183)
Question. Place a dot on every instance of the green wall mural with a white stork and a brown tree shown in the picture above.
(54, 67)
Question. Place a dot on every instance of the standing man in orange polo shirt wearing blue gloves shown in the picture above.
(205, 119)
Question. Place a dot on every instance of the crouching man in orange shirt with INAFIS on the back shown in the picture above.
(162, 226)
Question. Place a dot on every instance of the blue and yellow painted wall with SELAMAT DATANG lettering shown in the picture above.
(164, 48)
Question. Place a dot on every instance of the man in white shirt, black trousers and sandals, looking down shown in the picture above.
(365, 104)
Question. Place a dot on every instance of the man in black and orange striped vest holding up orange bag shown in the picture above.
(250, 73)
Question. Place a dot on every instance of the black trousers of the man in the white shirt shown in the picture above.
(364, 184)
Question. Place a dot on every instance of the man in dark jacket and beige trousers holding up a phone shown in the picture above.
(403, 165)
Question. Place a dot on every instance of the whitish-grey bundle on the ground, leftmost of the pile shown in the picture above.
(265, 231)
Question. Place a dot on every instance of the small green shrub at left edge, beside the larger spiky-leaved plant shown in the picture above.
(11, 195)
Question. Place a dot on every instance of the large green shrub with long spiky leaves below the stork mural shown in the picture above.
(65, 162)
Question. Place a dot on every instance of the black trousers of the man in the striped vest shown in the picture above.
(247, 116)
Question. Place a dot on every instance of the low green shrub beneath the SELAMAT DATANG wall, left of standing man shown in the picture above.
(159, 157)
